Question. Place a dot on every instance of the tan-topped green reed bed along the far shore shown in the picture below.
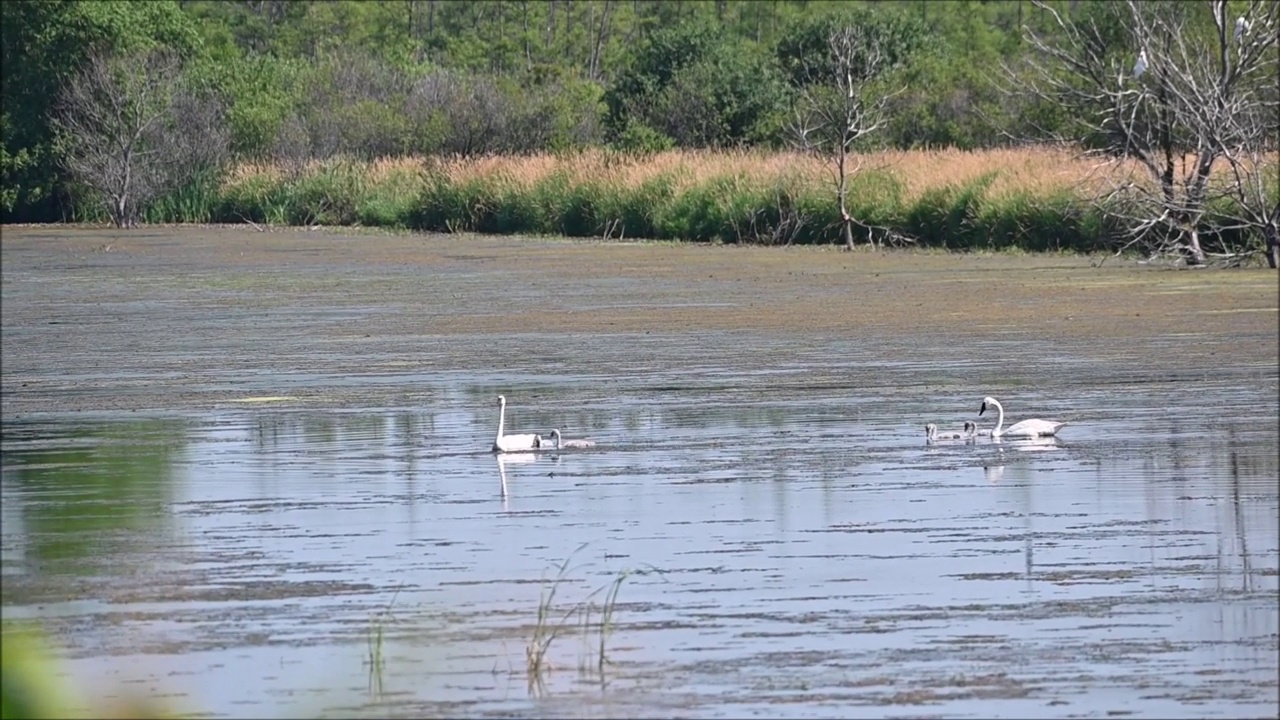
(1028, 199)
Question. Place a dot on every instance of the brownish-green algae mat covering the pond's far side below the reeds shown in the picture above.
(188, 318)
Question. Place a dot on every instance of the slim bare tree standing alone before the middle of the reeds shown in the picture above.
(840, 104)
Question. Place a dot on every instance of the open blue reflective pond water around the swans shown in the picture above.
(787, 549)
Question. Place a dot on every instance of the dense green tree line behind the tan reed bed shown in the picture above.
(296, 81)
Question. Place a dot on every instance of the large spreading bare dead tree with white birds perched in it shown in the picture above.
(1165, 92)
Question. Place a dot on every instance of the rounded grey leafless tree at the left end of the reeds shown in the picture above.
(132, 133)
